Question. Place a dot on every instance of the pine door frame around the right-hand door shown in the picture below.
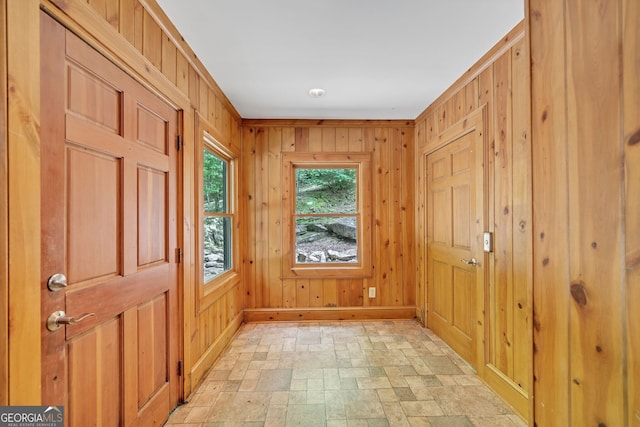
(474, 121)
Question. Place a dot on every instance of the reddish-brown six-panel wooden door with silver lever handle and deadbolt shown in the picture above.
(109, 225)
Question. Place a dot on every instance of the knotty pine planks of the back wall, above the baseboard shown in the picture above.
(264, 146)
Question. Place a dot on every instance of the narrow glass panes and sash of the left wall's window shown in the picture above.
(216, 214)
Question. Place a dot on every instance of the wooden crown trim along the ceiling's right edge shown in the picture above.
(487, 60)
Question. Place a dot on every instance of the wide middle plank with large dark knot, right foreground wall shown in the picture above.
(595, 171)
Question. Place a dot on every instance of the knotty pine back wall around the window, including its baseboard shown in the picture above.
(267, 295)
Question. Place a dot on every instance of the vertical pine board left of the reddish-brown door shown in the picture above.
(23, 251)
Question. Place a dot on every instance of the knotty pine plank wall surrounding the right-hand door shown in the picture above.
(499, 83)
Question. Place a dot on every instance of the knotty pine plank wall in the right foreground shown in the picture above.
(586, 156)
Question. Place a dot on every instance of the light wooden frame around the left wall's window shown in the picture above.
(210, 291)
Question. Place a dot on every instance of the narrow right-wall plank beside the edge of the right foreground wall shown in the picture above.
(522, 202)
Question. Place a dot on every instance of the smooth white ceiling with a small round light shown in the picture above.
(375, 59)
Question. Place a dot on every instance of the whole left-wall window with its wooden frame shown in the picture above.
(217, 256)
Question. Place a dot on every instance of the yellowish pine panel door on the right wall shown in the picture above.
(454, 226)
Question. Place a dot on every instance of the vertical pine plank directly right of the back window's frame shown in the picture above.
(381, 240)
